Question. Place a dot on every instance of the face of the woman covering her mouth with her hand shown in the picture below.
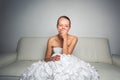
(63, 25)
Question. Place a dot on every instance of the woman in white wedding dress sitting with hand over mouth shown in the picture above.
(59, 63)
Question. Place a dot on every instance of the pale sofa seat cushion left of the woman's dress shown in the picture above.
(15, 69)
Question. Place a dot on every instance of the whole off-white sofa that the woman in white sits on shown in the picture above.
(31, 49)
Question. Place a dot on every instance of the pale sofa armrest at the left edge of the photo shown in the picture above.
(7, 58)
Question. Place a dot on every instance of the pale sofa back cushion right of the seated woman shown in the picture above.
(93, 50)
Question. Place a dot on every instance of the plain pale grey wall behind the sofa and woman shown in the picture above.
(90, 18)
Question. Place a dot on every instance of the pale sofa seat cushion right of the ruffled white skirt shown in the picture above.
(107, 71)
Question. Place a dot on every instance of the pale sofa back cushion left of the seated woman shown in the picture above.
(32, 48)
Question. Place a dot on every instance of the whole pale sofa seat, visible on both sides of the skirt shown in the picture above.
(106, 71)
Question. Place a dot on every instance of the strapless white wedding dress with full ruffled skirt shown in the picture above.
(68, 67)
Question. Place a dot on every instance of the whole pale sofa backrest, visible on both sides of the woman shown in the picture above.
(87, 49)
